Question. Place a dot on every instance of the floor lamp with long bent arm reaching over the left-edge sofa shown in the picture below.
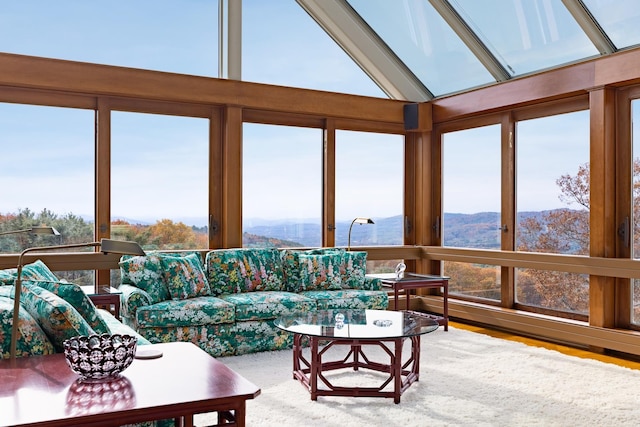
(107, 246)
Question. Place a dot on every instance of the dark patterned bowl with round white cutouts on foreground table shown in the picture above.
(98, 357)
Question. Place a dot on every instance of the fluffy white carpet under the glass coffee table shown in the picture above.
(466, 379)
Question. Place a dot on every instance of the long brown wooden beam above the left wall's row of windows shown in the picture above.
(78, 78)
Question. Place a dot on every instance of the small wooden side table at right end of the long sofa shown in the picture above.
(418, 281)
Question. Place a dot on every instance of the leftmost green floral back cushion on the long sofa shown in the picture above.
(144, 272)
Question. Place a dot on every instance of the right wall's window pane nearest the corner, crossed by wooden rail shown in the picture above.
(471, 206)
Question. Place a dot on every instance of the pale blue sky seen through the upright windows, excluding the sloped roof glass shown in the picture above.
(281, 45)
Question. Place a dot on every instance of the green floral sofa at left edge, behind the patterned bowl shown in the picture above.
(51, 311)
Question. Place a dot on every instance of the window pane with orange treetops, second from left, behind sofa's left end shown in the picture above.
(159, 189)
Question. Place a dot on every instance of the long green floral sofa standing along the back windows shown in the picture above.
(226, 302)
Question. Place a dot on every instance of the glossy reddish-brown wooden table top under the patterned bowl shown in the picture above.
(43, 389)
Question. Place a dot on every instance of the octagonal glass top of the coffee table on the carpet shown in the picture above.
(358, 324)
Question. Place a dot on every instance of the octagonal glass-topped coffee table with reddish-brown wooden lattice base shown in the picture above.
(357, 330)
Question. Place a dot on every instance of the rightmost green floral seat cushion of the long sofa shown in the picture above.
(349, 299)
